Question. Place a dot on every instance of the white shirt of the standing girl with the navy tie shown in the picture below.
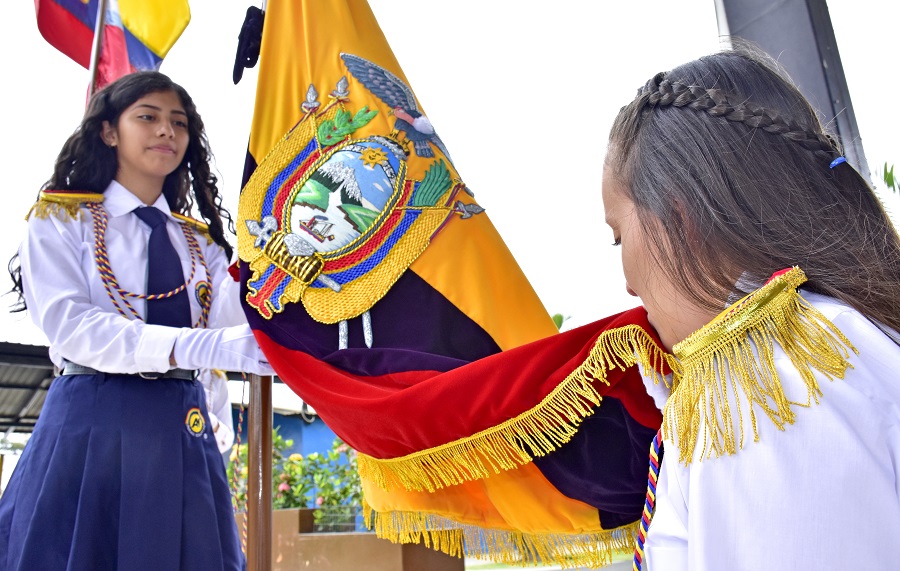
(68, 302)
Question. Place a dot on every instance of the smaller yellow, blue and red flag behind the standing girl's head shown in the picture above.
(137, 36)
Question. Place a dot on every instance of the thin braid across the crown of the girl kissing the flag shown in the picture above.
(660, 92)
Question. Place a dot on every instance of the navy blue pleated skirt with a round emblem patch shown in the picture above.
(120, 473)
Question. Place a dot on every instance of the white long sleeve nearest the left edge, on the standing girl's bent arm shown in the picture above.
(58, 299)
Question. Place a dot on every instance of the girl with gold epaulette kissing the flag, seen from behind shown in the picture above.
(781, 422)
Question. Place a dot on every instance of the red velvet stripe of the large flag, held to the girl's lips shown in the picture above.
(441, 407)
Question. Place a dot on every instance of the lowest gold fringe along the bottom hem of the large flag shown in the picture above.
(568, 550)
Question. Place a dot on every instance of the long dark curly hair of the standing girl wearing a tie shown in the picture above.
(87, 164)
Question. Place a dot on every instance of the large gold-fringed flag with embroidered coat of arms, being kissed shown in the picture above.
(382, 294)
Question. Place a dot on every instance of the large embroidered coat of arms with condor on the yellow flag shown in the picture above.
(342, 206)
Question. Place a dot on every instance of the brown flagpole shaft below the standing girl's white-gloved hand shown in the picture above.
(259, 475)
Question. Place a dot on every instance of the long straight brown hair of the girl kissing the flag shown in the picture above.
(727, 154)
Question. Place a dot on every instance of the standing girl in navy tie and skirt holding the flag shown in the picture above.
(122, 470)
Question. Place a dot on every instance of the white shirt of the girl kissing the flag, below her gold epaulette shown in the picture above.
(822, 494)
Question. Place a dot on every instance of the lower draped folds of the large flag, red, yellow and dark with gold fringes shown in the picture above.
(480, 460)
